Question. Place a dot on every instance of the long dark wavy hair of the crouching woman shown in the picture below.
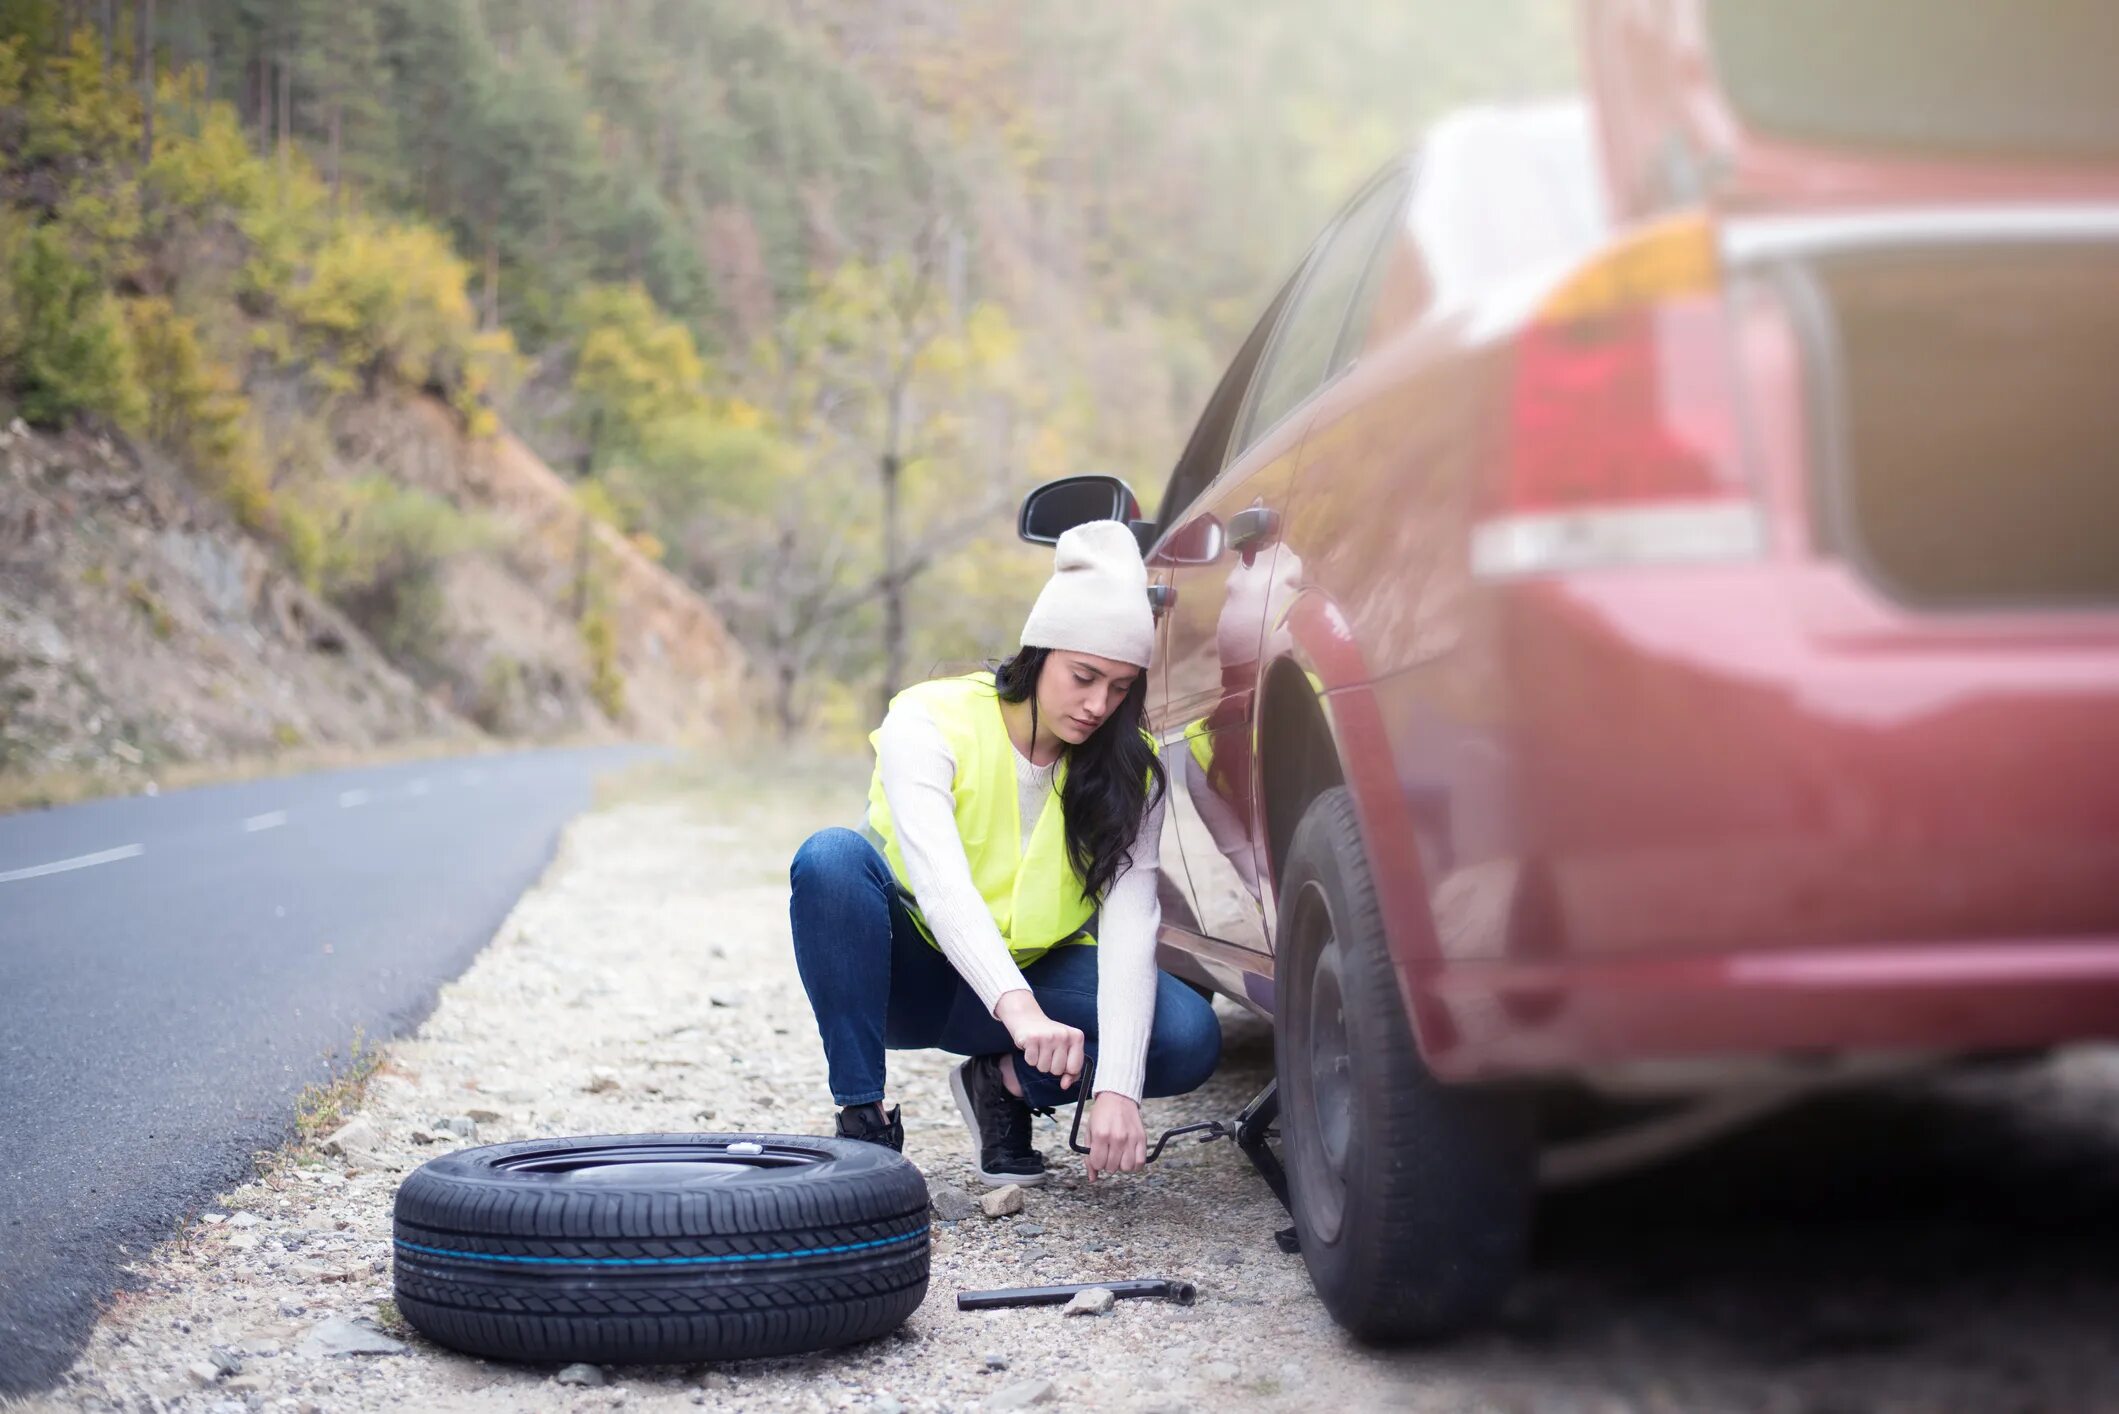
(1107, 779)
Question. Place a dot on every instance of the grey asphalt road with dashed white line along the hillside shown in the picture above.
(175, 970)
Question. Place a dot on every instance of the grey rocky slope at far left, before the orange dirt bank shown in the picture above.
(139, 626)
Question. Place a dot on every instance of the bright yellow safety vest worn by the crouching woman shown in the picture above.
(1035, 898)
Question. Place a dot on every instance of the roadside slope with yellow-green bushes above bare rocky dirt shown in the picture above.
(253, 487)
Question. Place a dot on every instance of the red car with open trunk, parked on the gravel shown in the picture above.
(1641, 616)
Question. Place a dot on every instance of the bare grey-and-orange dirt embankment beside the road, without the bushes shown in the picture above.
(143, 631)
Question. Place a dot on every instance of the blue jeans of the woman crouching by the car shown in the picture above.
(878, 985)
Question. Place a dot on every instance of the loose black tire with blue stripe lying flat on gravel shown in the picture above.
(662, 1248)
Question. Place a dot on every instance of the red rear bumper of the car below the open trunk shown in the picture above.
(1753, 809)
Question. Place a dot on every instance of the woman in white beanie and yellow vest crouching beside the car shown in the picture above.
(1001, 902)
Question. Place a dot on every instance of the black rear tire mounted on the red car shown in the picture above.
(1412, 1199)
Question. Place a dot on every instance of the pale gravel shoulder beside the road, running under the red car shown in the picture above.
(647, 985)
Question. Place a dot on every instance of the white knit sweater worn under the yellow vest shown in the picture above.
(919, 781)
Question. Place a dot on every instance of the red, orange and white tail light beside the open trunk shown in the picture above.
(1624, 440)
